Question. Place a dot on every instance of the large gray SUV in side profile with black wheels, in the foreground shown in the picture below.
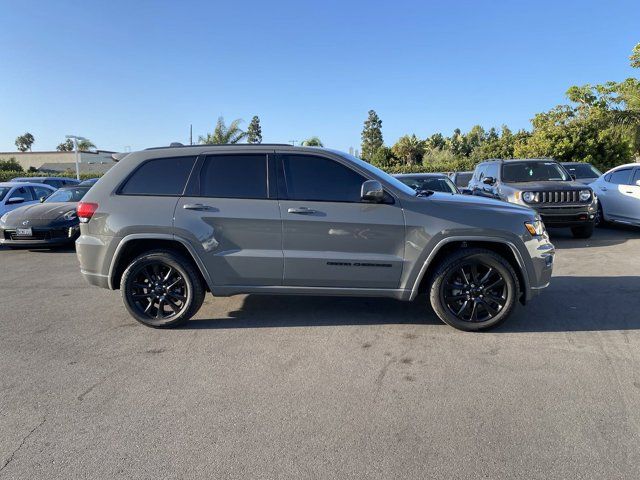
(165, 225)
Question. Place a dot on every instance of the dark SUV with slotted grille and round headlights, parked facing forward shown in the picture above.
(543, 185)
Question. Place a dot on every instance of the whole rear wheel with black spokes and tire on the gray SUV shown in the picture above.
(162, 279)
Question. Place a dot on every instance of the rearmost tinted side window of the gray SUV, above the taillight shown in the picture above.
(161, 176)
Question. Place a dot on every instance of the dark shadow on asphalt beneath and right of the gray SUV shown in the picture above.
(569, 304)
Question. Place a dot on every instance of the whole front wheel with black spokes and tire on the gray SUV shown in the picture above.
(491, 299)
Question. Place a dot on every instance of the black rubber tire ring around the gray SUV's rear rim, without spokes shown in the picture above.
(149, 259)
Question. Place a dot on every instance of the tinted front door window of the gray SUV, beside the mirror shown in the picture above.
(320, 179)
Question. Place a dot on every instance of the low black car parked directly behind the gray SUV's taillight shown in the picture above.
(53, 222)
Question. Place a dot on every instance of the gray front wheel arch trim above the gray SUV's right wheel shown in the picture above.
(449, 245)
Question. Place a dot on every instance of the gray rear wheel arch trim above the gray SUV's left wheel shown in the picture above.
(133, 245)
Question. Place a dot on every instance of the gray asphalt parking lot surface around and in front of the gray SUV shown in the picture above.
(306, 387)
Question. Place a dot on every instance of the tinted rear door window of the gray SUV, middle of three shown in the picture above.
(234, 176)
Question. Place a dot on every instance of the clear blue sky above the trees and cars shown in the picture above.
(137, 73)
